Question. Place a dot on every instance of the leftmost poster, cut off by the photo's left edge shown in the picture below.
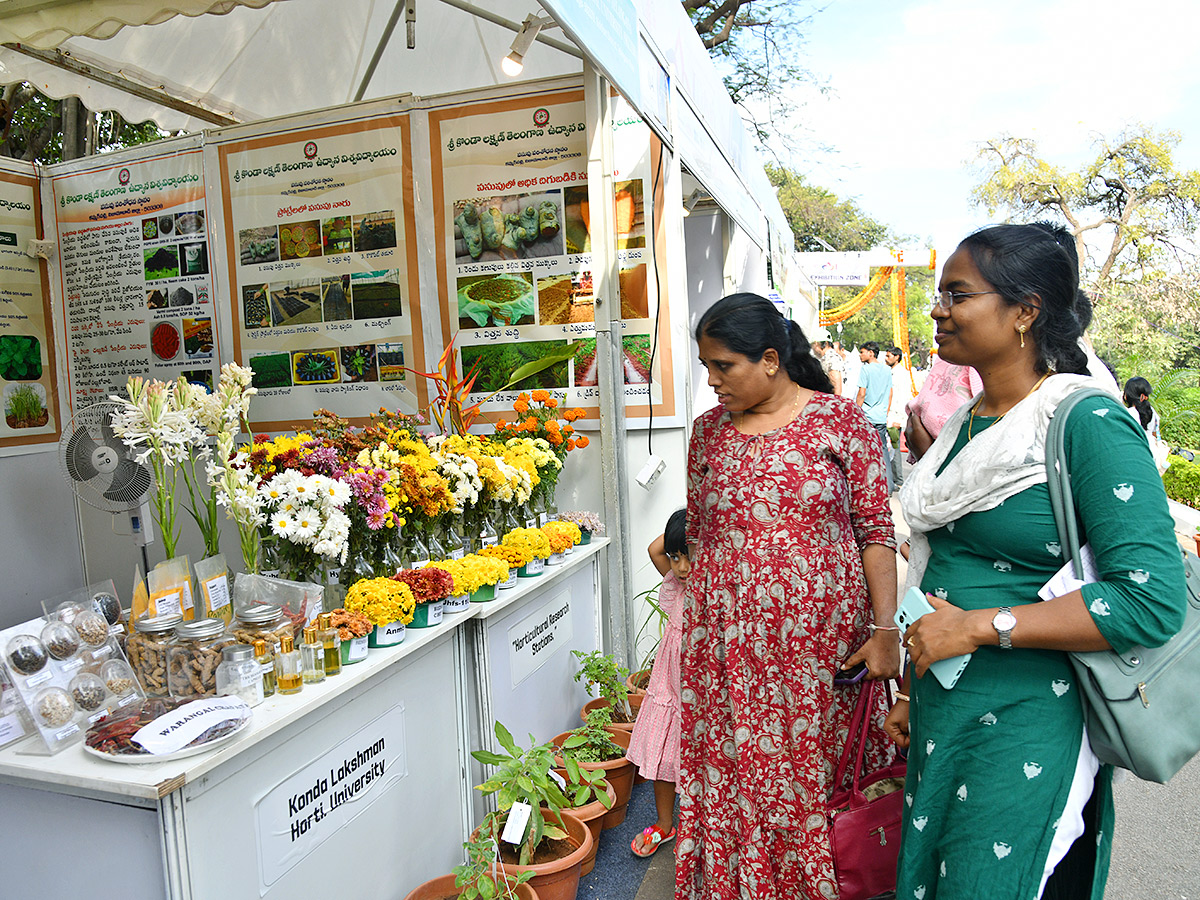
(28, 380)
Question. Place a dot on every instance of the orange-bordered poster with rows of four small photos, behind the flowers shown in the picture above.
(322, 269)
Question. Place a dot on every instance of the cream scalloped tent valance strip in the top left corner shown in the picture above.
(49, 25)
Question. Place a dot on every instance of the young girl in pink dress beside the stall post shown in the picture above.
(655, 747)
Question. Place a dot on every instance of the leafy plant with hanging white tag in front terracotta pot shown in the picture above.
(524, 776)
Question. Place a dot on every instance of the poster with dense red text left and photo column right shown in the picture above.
(135, 269)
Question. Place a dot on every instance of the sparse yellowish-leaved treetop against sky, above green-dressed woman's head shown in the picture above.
(1130, 202)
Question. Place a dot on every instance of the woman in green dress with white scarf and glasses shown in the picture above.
(1005, 800)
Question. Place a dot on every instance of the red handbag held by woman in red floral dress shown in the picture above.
(865, 819)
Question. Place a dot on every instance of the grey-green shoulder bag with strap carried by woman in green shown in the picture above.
(1141, 707)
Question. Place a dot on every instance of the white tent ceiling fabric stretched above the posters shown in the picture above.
(286, 57)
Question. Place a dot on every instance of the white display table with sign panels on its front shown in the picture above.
(357, 782)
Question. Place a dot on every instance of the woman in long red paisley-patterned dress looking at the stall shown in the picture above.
(794, 563)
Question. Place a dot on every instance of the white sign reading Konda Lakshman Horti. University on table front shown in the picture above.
(310, 806)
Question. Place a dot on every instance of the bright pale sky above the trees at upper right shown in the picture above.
(917, 86)
